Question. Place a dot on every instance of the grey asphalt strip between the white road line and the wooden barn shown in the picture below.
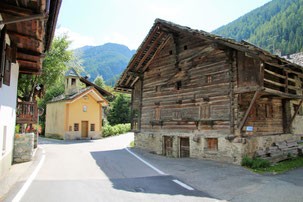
(229, 182)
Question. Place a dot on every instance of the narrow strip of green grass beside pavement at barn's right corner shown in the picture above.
(281, 167)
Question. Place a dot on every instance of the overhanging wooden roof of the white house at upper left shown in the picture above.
(30, 26)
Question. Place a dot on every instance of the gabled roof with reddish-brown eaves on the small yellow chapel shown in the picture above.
(77, 95)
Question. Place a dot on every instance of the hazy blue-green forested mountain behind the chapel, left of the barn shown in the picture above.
(108, 60)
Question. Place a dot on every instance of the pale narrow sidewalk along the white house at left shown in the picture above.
(18, 173)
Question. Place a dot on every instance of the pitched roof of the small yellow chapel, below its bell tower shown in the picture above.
(71, 97)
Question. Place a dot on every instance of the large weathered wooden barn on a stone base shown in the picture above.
(195, 94)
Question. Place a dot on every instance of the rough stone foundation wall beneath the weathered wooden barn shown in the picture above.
(229, 150)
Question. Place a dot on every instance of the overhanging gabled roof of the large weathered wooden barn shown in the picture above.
(159, 35)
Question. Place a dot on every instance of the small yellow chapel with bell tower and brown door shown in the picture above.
(76, 114)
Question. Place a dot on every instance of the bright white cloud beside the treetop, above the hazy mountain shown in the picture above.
(77, 39)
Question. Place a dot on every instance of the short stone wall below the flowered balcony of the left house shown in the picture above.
(23, 147)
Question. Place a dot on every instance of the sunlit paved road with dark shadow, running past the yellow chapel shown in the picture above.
(100, 170)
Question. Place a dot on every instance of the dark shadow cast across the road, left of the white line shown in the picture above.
(129, 174)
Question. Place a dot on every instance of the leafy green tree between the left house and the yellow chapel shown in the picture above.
(54, 65)
